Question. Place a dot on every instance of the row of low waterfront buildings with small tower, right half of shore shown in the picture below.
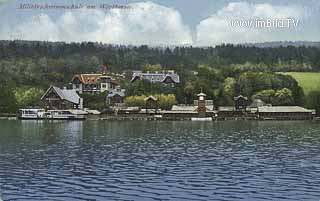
(241, 110)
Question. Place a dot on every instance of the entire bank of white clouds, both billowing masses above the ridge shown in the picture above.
(154, 24)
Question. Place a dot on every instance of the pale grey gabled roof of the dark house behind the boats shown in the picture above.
(65, 94)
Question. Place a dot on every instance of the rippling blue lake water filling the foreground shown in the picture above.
(140, 160)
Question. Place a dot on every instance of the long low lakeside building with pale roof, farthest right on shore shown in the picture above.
(285, 112)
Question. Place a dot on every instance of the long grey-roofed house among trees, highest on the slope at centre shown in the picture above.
(166, 77)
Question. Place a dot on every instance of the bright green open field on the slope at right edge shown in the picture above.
(308, 81)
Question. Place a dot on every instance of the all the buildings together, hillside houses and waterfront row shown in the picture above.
(57, 98)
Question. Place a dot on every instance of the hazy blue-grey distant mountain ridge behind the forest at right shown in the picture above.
(284, 44)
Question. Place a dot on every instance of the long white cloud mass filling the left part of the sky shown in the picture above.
(144, 23)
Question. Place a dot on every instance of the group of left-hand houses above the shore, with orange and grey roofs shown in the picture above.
(57, 98)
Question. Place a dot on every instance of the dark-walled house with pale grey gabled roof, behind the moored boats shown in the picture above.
(56, 98)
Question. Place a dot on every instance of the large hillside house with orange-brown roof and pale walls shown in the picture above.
(93, 83)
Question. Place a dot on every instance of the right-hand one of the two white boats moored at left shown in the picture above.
(64, 115)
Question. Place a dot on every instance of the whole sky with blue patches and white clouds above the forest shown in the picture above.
(162, 22)
